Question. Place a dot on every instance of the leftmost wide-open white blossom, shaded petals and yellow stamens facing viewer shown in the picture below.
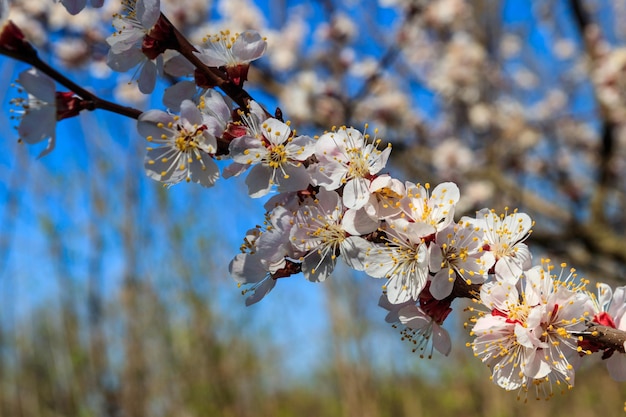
(187, 146)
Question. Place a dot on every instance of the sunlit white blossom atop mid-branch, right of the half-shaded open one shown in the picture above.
(348, 158)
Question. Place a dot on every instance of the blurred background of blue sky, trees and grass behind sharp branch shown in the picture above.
(115, 297)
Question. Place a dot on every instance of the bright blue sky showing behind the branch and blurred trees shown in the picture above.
(96, 155)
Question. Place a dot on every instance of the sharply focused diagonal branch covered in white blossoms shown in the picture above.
(331, 199)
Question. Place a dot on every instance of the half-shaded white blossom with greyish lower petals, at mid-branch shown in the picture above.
(277, 156)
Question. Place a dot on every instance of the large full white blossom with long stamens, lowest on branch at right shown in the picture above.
(525, 338)
